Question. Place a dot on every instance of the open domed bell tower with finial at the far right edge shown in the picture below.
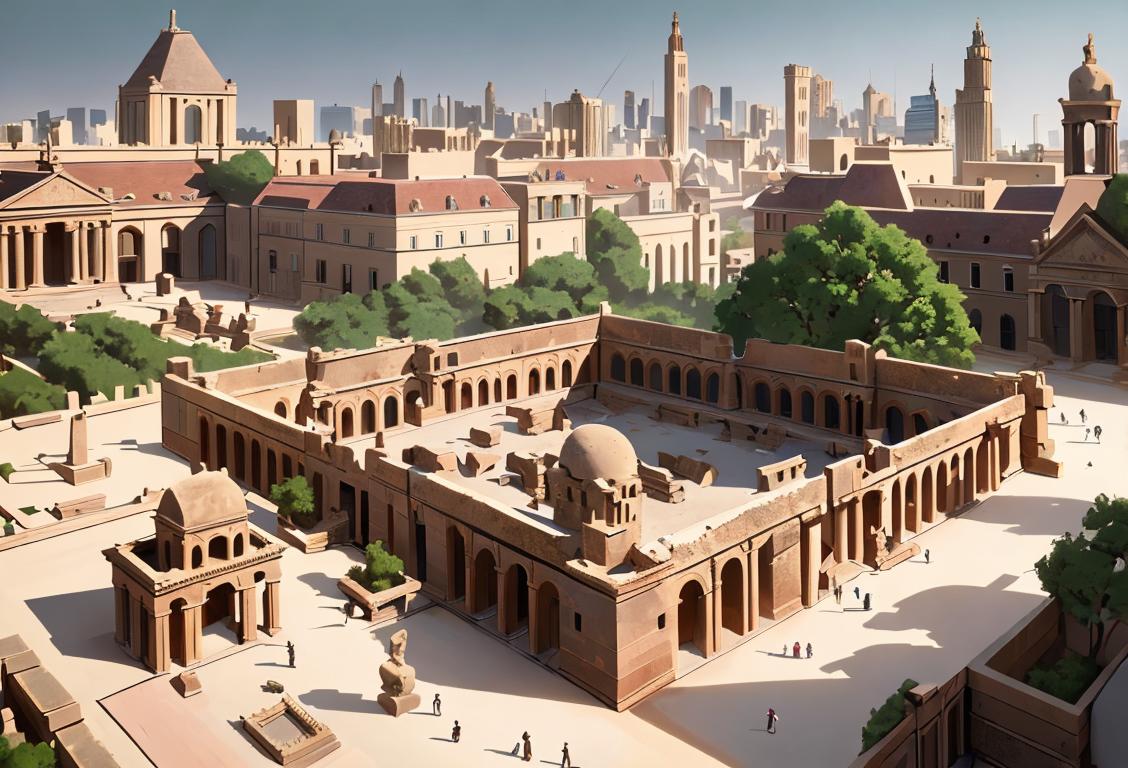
(1092, 101)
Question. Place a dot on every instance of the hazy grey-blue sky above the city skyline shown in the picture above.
(77, 55)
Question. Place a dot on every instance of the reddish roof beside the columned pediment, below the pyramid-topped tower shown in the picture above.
(146, 180)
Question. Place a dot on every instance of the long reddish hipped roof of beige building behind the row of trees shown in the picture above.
(385, 197)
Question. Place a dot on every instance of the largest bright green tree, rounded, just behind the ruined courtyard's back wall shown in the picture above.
(848, 278)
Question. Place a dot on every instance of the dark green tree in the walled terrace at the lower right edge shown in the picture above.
(1082, 571)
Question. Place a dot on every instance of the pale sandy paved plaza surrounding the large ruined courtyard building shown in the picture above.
(928, 622)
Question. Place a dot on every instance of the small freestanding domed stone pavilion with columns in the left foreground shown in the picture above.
(206, 564)
